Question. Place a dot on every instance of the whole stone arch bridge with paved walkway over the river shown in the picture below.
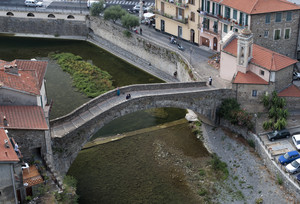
(70, 132)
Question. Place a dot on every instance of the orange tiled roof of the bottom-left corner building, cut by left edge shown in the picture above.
(7, 154)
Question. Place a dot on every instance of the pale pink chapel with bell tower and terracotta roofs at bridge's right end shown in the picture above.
(253, 70)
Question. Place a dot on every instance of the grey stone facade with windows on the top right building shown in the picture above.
(282, 46)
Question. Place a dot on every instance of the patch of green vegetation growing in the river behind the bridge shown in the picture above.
(87, 78)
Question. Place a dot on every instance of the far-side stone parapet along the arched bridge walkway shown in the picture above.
(125, 89)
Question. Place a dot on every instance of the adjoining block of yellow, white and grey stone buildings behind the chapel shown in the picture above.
(274, 23)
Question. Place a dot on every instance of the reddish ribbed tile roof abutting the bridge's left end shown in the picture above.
(23, 117)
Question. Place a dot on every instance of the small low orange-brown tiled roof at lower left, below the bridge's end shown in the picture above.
(31, 176)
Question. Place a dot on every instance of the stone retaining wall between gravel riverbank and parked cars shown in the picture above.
(266, 157)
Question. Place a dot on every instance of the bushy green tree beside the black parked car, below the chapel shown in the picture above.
(276, 112)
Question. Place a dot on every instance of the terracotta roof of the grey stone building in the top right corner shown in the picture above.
(260, 6)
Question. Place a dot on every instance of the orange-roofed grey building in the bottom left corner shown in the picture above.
(8, 158)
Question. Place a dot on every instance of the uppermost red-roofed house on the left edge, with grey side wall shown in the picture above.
(22, 83)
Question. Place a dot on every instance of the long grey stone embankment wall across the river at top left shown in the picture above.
(55, 27)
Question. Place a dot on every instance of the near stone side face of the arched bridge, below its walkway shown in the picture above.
(66, 148)
